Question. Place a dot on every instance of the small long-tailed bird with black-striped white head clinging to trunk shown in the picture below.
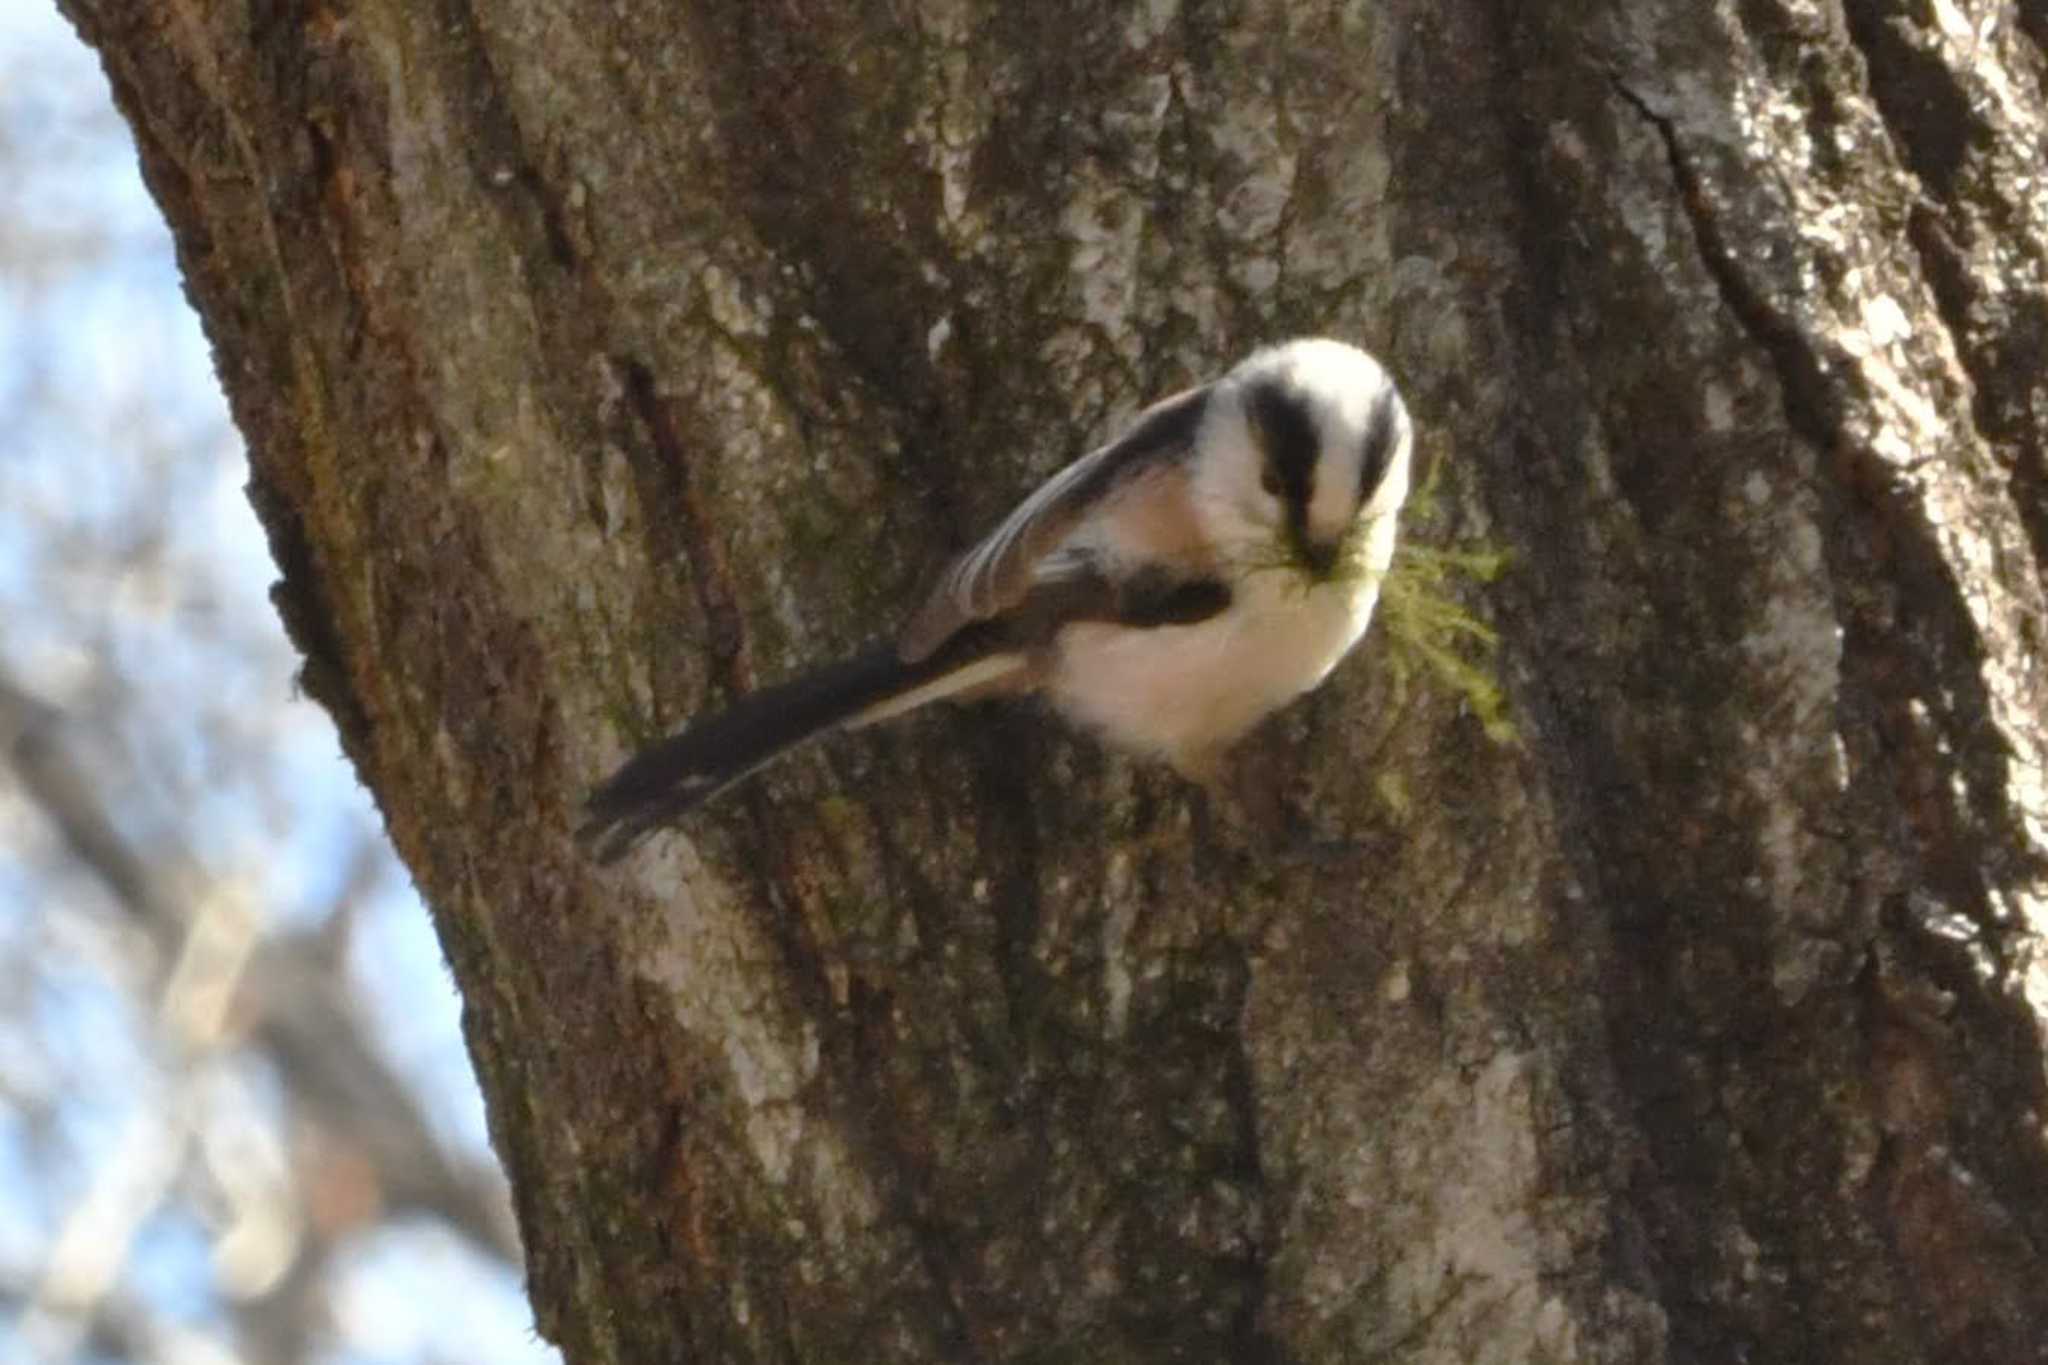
(1168, 590)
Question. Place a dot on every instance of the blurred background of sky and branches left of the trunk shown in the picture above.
(237, 1118)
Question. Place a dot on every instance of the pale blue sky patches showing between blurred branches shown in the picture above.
(134, 584)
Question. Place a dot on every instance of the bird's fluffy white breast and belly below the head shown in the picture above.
(1187, 693)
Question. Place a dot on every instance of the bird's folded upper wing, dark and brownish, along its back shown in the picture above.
(996, 574)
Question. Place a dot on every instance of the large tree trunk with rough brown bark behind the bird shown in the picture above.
(601, 359)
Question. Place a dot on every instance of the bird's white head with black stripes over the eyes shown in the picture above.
(1304, 445)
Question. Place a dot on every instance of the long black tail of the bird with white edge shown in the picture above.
(663, 783)
